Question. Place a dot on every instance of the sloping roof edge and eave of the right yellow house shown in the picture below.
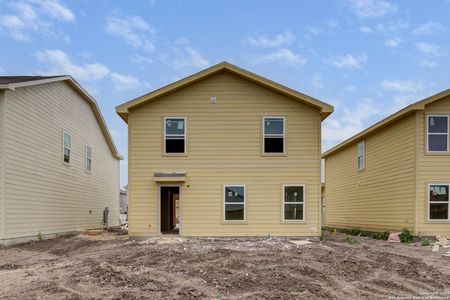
(419, 105)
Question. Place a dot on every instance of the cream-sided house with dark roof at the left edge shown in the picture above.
(59, 168)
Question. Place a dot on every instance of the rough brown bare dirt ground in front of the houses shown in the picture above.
(110, 266)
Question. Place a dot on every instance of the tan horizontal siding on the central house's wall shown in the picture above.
(224, 147)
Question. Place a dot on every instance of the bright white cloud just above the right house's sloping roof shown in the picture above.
(349, 122)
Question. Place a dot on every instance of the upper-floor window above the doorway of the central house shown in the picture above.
(174, 135)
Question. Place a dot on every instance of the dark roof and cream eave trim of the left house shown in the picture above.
(13, 82)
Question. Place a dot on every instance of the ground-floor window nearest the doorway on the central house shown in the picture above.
(234, 201)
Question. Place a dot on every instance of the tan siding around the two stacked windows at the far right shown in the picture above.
(432, 168)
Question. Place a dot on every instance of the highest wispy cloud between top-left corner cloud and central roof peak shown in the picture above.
(133, 30)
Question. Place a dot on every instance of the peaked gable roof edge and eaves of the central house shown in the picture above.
(325, 109)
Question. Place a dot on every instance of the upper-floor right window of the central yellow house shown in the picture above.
(273, 131)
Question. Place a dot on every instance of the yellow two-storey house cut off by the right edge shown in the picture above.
(395, 174)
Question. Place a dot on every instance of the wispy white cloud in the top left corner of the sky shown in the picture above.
(27, 18)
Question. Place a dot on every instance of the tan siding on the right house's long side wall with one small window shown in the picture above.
(382, 196)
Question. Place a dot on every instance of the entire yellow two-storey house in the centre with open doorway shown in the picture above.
(237, 153)
